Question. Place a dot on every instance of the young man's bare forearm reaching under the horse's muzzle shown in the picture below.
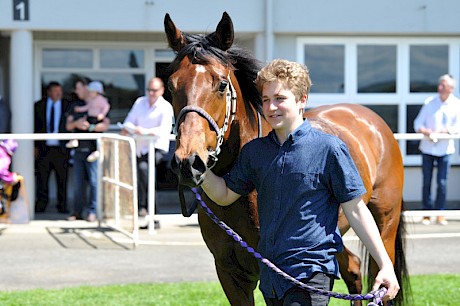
(217, 190)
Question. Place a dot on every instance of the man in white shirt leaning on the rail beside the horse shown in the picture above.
(150, 115)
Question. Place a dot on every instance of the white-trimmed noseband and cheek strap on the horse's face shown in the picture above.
(230, 111)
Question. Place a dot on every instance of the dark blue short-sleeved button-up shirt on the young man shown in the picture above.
(300, 185)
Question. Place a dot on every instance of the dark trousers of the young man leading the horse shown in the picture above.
(297, 296)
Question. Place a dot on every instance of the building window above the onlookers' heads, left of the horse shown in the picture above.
(122, 72)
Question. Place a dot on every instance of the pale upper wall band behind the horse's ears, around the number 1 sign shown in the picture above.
(135, 15)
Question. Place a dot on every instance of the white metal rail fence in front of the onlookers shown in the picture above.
(113, 172)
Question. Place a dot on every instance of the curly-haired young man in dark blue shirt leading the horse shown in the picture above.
(301, 179)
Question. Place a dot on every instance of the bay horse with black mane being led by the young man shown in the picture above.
(217, 107)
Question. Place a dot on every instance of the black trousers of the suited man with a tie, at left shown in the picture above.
(51, 159)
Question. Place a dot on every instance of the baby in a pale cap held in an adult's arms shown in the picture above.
(97, 106)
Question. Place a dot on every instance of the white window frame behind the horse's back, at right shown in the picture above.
(402, 97)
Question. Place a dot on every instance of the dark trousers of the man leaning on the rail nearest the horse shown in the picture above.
(143, 178)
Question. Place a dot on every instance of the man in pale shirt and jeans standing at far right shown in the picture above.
(439, 114)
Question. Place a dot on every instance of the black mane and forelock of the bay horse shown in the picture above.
(201, 49)
